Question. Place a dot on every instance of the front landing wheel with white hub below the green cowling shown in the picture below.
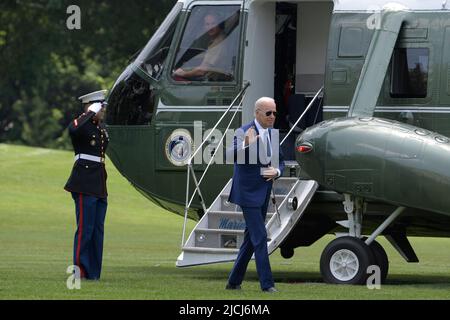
(345, 261)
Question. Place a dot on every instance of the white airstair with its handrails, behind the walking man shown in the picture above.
(220, 232)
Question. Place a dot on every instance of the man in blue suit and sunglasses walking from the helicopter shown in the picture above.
(258, 161)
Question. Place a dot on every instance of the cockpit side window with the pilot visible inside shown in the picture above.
(210, 45)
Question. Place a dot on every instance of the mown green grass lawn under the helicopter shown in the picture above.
(142, 242)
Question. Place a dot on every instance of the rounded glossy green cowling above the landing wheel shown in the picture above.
(379, 159)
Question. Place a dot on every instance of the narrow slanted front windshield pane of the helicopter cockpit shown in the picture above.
(151, 59)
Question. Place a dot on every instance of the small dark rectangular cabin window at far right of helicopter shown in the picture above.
(409, 78)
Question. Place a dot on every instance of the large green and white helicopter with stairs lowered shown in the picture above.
(363, 100)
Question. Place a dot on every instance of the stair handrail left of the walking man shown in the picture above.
(190, 169)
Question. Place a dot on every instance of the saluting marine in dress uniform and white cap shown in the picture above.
(87, 183)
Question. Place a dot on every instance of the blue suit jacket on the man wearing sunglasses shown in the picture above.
(249, 188)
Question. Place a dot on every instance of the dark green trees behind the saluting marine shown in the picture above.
(44, 66)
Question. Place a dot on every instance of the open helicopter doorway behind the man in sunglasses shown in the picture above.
(300, 57)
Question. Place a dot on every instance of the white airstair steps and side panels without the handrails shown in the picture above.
(219, 234)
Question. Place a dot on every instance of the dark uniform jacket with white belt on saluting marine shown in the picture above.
(88, 137)
